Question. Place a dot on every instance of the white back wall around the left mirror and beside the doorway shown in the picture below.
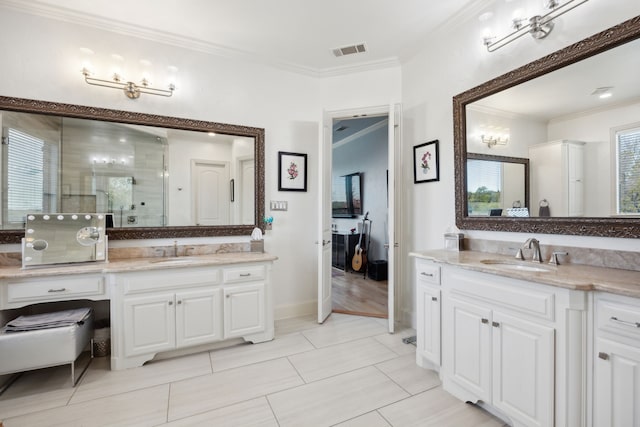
(45, 64)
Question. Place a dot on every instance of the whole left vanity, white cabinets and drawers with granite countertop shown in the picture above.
(159, 305)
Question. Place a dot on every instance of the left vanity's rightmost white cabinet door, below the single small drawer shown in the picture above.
(243, 310)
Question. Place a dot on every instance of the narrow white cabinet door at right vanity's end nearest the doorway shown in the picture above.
(428, 327)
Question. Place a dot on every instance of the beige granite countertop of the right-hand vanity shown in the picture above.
(570, 276)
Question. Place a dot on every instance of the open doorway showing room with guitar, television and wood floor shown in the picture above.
(359, 215)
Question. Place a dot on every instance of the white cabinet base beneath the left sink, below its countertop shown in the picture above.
(171, 309)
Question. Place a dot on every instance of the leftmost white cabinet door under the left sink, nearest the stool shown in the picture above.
(149, 324)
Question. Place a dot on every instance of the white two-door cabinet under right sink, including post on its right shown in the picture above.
(503, 340)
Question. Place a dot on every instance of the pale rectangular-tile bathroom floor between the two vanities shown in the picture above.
(348, 372)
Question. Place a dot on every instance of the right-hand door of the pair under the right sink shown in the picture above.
(523, 369)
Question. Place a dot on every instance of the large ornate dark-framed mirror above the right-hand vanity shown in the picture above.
(583, 149)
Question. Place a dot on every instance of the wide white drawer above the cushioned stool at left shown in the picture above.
(56, 289)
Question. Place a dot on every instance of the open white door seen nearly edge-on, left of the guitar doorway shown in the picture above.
(324, 222)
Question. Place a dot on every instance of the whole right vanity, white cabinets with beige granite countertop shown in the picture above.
(542, 345)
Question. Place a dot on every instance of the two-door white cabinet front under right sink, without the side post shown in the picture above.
(495, 353)
